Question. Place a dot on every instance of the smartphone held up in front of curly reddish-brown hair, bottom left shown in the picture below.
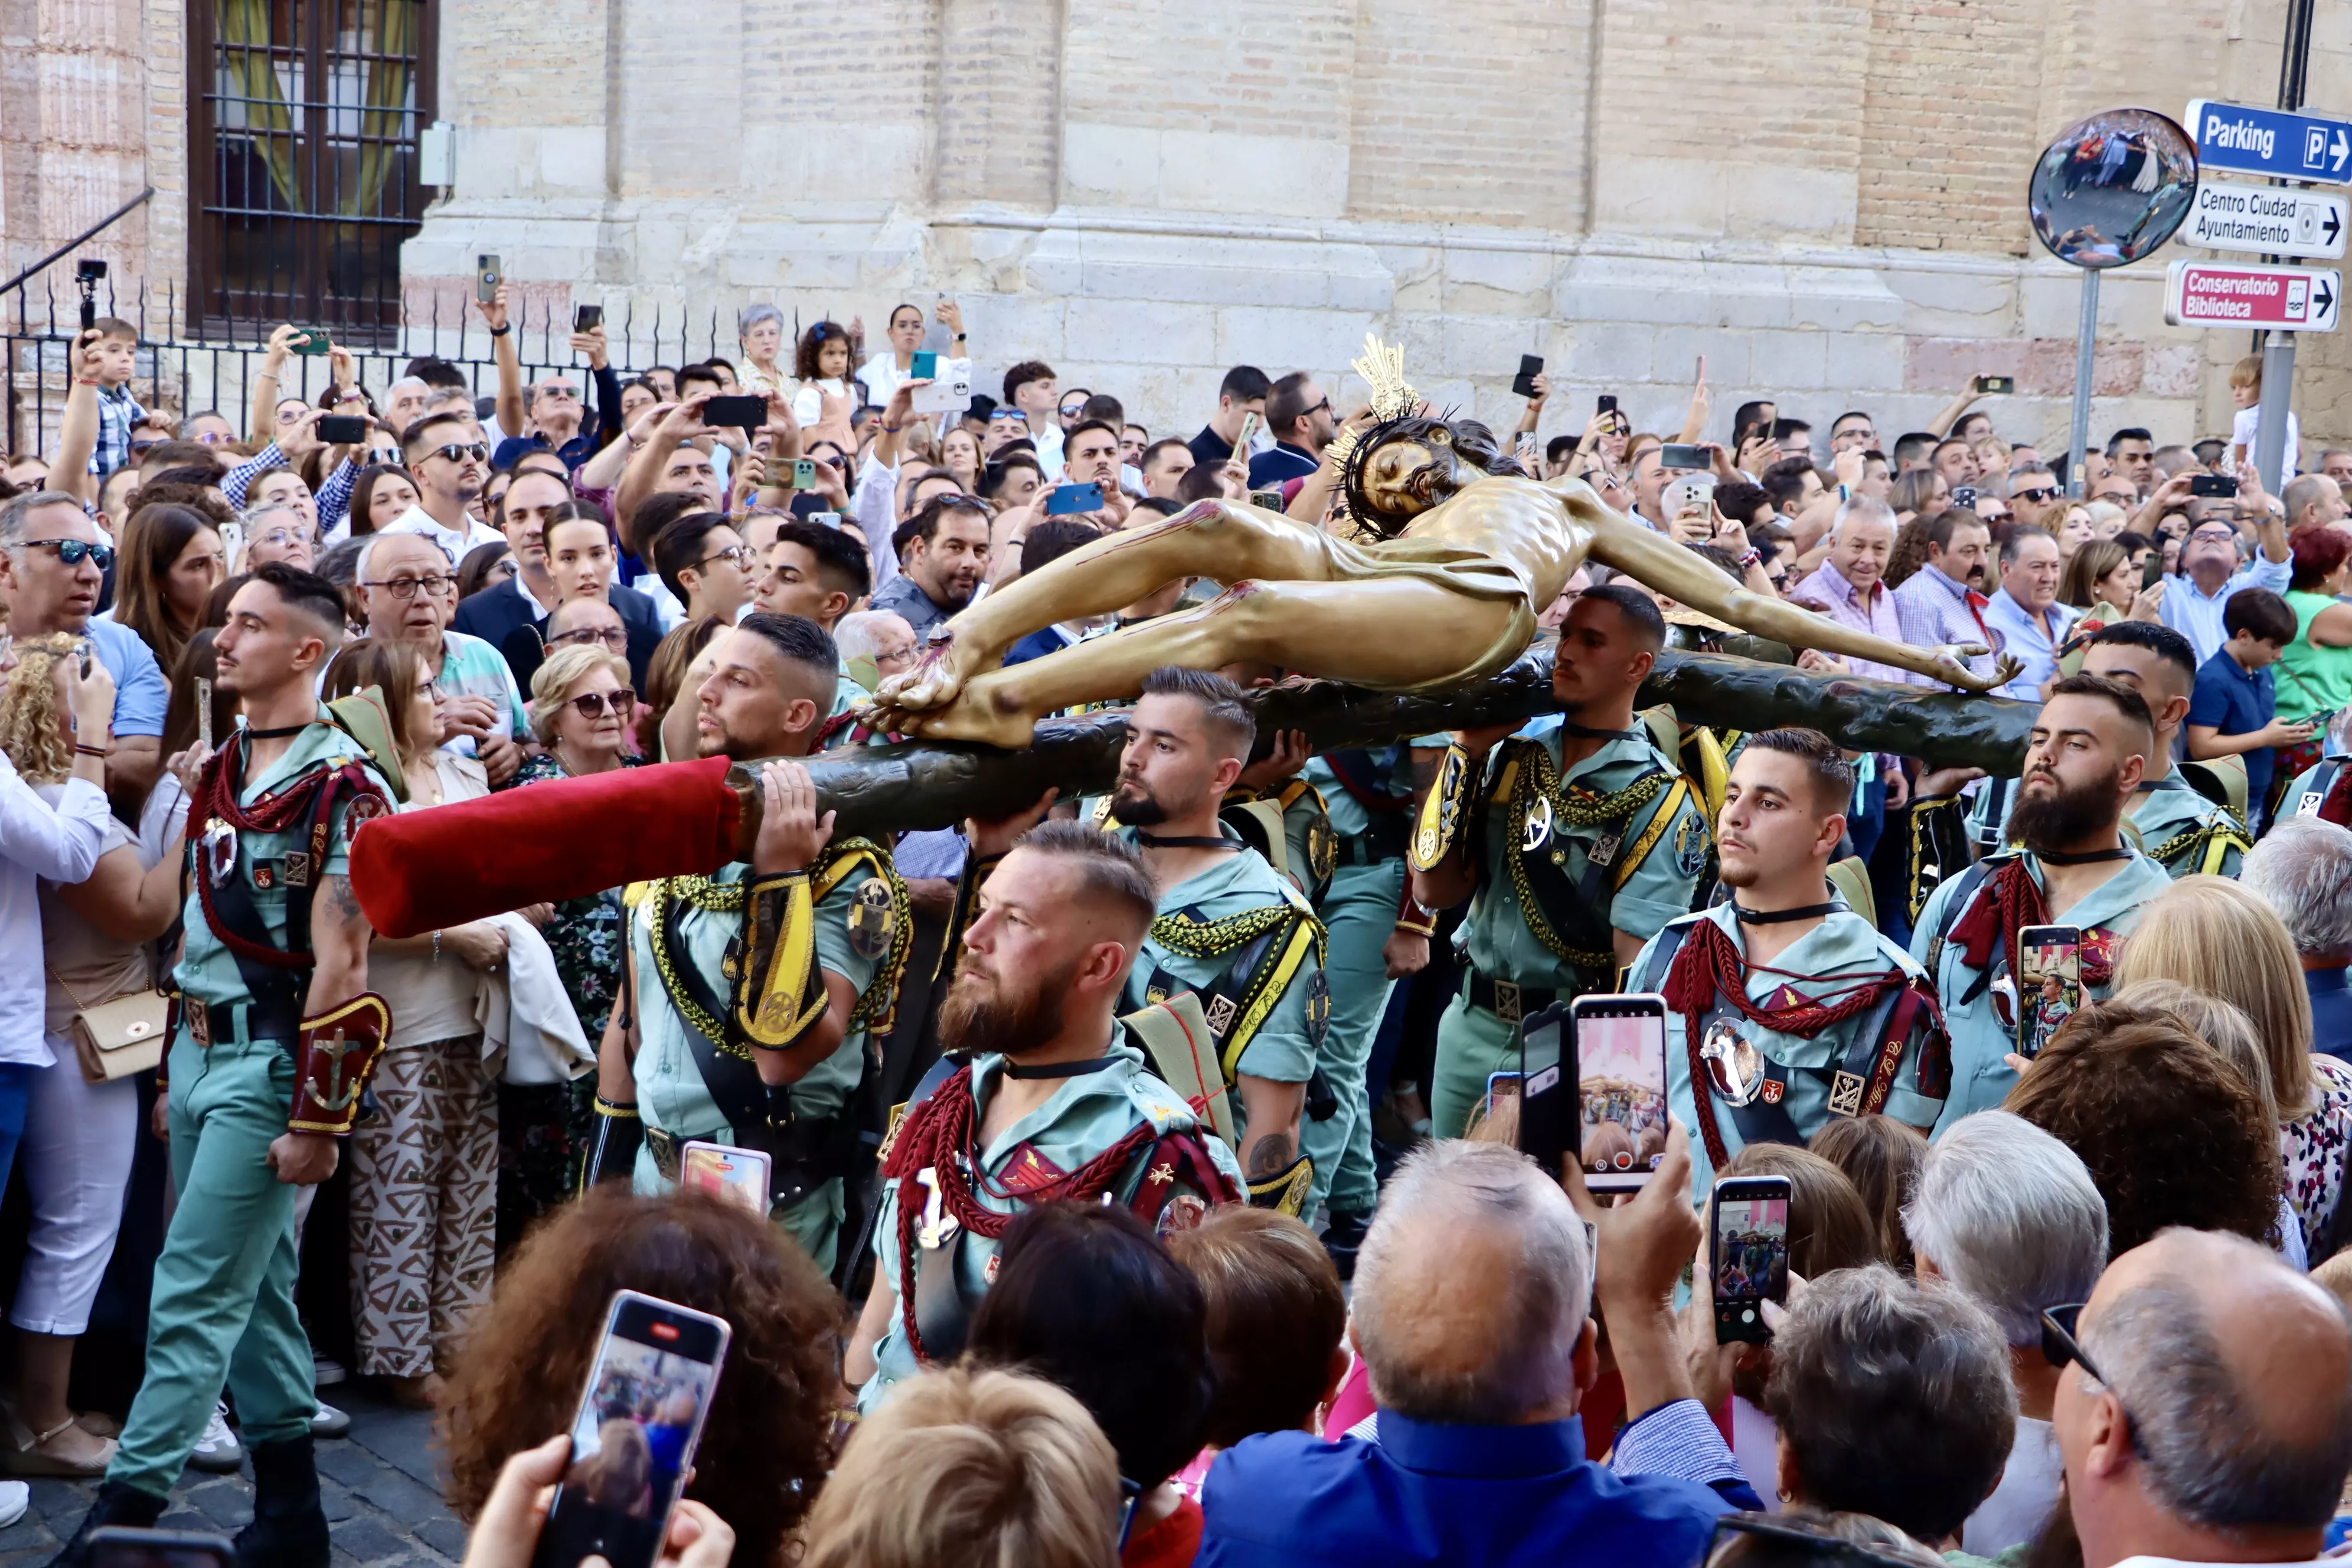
(634, 1440)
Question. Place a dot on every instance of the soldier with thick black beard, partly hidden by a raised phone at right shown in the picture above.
(2083, 765)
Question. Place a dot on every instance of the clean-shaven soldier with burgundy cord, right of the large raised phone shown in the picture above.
(1784, 1005)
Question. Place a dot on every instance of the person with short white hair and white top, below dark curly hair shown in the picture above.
(2014, 1221)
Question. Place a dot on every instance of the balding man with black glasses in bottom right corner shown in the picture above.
(2203, 1407)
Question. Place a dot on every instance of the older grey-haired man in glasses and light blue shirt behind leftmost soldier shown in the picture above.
(408, 589)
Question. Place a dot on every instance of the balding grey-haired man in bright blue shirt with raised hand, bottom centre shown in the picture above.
(1474, 1315)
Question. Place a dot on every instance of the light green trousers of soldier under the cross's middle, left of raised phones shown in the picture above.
(1358, 911)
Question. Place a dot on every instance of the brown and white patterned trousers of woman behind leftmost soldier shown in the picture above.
(425, 1184)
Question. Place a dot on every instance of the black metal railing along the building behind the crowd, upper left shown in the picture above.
(187, 377)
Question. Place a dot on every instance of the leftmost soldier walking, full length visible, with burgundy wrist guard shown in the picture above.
(274, 1043)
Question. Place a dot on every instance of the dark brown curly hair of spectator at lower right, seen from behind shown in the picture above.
(2167, 1127)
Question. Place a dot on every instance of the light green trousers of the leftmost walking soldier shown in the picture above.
(225, 1287)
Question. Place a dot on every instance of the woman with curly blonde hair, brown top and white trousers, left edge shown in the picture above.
(79, 1137)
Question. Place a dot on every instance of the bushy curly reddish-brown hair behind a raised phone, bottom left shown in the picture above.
(521, 1369)
